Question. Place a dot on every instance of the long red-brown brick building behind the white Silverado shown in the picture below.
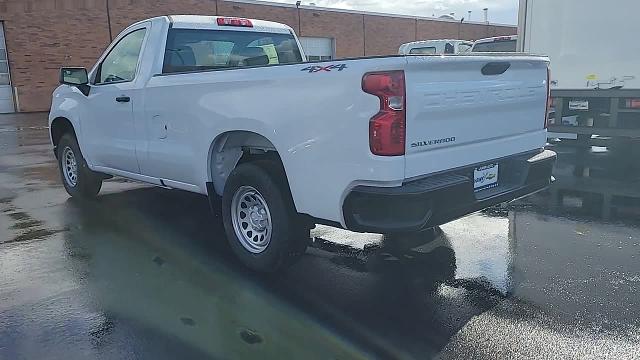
(42, 35)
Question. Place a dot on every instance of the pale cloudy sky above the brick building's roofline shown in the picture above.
(500, 11)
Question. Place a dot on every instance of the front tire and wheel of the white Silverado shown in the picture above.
(77, 178)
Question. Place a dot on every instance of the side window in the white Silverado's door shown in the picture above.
(121, 63)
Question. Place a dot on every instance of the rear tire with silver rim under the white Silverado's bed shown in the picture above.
(269, 236)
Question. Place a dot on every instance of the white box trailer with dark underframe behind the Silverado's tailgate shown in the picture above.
(595, 57)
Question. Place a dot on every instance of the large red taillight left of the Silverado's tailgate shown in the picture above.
(387, 129)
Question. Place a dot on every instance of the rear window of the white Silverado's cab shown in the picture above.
(194, 50)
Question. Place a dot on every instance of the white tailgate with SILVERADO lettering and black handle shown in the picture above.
(463, 110)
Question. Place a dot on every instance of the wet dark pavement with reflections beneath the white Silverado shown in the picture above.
(145, 273)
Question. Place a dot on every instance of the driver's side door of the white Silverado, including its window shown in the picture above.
(110, 129)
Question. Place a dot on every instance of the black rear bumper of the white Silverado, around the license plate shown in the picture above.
(438, 199)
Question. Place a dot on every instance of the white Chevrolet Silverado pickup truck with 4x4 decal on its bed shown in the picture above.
(228, 107)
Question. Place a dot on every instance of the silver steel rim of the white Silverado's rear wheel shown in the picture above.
(251, 219)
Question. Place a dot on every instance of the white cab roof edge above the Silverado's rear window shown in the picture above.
(210, 22)
